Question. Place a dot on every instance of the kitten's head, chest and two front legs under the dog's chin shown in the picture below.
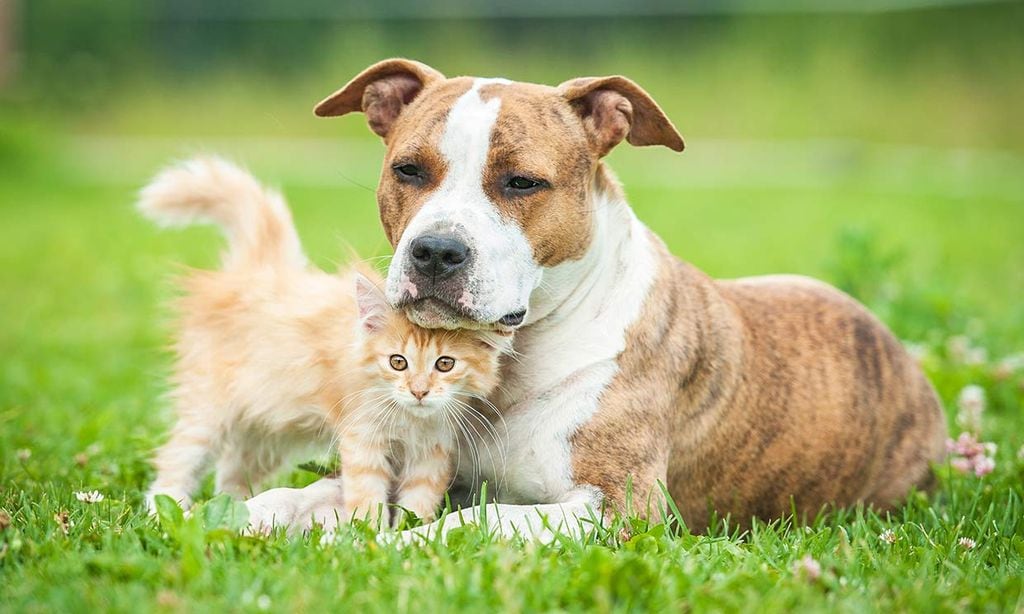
(404, 428)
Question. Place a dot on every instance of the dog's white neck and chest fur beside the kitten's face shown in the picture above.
(564, 367)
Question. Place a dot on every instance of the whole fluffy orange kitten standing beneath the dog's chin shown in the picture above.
(275, 356)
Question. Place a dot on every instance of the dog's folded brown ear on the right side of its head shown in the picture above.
(614, 109)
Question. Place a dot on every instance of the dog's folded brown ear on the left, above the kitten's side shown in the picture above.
(381, 92)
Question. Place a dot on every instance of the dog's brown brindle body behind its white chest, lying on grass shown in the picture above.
(753, 398)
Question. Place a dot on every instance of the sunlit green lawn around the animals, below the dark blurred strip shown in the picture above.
(907, 193)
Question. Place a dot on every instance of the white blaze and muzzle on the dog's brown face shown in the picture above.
(499, 271)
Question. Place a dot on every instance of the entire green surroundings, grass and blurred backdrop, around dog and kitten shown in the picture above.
(875, 144)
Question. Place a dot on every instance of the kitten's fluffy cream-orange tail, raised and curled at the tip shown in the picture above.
(209, 190)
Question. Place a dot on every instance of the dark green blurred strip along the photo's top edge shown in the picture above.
(73, 49)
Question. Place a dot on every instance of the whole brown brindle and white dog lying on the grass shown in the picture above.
(748, 398)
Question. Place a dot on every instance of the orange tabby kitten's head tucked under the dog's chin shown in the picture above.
(422, 370)
